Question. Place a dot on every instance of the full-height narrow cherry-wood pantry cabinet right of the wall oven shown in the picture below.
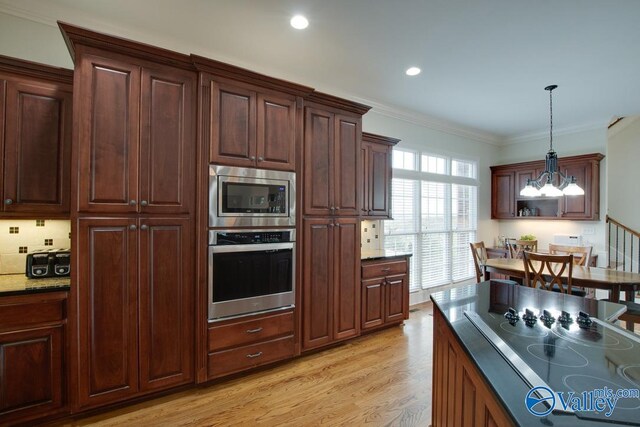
(330, 226)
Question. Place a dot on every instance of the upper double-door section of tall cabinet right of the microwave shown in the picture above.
(332, 165)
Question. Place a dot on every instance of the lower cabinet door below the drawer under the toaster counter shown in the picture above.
(31, 373)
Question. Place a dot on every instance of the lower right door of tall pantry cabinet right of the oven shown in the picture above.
(346, 293)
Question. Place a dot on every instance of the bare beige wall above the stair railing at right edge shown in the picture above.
(623, 150)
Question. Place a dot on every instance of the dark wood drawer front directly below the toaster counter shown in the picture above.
(32, 310)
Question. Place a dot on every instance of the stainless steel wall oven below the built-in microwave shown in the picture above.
(250, 271)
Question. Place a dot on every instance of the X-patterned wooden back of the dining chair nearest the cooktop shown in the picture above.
(544, 271)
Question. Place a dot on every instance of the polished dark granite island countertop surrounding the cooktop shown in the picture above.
(506, 382)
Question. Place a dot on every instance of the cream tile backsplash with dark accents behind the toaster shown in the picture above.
(18, 237)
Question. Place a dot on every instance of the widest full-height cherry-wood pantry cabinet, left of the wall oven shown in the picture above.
(134, 151)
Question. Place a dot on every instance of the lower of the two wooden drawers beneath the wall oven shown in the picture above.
(238, 359)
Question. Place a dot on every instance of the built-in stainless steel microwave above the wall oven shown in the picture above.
(248, 197)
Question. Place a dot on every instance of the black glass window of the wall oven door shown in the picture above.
(238, 275)
